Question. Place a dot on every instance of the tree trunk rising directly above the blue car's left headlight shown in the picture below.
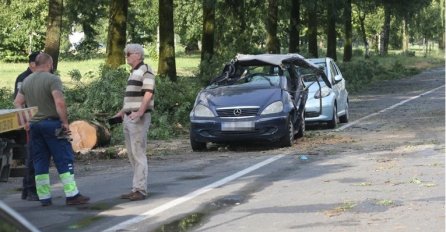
(207, 39)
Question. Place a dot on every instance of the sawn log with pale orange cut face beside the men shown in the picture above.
(87, 135)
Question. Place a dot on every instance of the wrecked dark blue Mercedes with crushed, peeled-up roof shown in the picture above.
(258, 98)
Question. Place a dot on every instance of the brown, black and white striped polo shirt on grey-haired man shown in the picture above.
(140, 81)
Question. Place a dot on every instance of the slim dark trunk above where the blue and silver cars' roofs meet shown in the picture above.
(312, 28)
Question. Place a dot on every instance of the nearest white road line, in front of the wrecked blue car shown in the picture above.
(192, 195)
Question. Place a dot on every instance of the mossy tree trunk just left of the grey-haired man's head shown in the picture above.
(117, 27)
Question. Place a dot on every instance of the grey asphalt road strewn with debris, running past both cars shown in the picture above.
(384, 171)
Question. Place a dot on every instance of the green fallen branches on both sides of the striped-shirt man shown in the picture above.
(103, 96)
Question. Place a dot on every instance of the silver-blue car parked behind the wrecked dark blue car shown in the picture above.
(324, 104)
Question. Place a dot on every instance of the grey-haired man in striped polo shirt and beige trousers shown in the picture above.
(138, 103)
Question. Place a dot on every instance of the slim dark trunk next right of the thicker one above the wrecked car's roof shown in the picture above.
(294, 39)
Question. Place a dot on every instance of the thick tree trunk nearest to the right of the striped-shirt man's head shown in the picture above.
(166, 62)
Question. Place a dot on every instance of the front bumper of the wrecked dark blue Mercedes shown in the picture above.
(265, 129)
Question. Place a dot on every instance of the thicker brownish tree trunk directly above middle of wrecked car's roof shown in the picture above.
(272, 41)
